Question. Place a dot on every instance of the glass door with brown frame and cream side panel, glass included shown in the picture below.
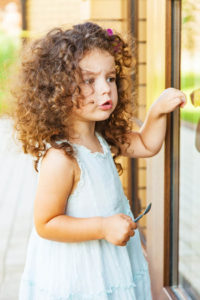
(173, 176)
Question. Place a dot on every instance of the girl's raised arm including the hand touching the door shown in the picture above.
(148, 141)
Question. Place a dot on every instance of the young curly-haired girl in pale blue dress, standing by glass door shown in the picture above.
(73, 111)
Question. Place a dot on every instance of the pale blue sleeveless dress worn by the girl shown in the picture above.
(97, 269)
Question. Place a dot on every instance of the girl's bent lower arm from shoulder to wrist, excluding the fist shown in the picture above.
(55, 184)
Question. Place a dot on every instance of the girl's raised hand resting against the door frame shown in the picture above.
(168, 101)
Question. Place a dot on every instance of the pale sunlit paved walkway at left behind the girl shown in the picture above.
(17, 190)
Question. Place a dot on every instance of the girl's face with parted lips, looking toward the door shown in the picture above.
(98, 89)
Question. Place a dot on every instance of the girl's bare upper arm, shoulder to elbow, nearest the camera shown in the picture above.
(55, 184)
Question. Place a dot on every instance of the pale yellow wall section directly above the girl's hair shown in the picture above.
(45, 14)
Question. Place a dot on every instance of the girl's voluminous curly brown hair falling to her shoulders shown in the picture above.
(48, 87)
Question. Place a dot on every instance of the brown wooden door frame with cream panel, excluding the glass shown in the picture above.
(163, 71)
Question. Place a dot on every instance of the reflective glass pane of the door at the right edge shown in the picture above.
(189, 223)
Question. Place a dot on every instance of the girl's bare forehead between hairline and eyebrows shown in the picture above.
(97, 59)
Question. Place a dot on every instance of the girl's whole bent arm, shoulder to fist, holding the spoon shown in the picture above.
(56, 181)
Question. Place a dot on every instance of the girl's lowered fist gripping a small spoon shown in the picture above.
(118, 229)
